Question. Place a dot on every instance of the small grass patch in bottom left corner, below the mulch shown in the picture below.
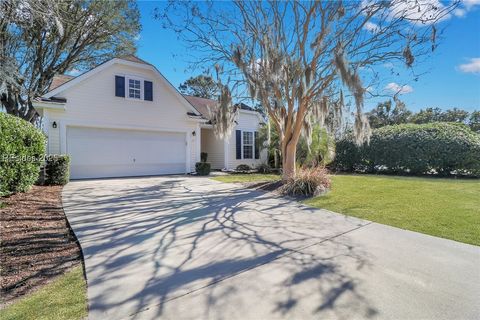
(65, 298)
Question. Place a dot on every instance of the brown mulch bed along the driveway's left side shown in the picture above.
(36, 244)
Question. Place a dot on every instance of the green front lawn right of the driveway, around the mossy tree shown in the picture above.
(447, 208)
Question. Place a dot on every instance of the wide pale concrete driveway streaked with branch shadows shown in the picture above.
(192, 248)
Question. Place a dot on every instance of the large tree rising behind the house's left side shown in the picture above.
(41, 38)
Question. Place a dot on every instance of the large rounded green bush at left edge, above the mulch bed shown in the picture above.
(21, 149)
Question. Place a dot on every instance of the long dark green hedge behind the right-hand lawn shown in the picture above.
(433, 148)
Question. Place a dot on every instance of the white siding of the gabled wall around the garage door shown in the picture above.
(92, 103)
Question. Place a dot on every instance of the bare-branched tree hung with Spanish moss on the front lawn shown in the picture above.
(295, 57)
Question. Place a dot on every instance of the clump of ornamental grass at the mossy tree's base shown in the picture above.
(307, 182)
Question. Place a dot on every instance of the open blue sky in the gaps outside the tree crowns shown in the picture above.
(453, 79)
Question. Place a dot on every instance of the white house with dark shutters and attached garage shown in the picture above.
(123, 118)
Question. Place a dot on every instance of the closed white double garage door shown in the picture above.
(99, 153)
